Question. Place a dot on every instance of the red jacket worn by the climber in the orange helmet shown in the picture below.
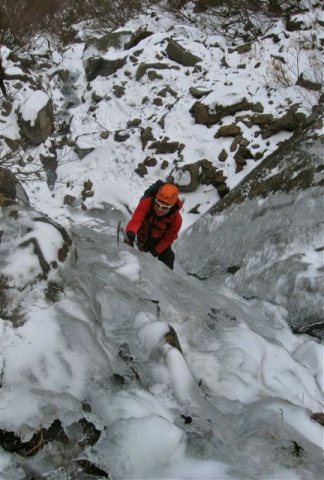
(155, 232)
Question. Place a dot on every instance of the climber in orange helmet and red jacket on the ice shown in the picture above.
(156, 223)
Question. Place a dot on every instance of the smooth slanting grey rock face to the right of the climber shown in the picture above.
(268, 232)
